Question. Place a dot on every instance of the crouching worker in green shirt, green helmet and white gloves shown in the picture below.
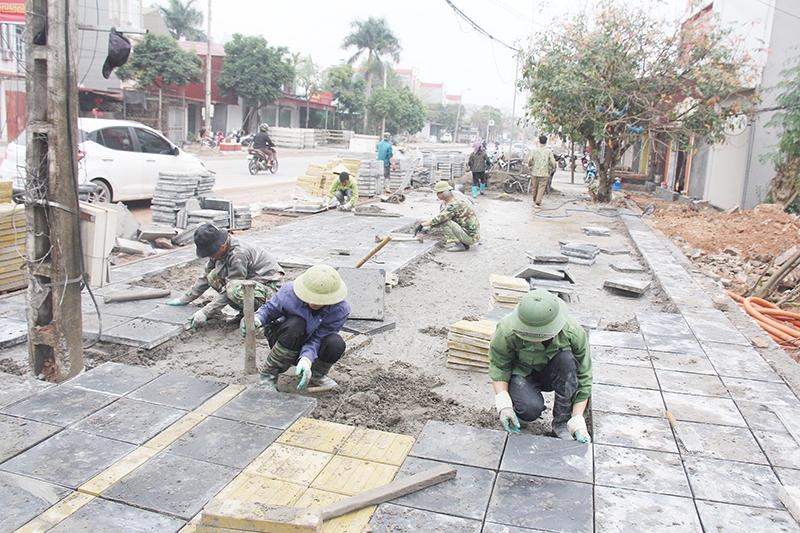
(540, 347)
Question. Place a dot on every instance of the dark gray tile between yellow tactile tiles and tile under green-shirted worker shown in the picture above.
(459, 444)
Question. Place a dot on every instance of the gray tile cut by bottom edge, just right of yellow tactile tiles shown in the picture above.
(390, 517)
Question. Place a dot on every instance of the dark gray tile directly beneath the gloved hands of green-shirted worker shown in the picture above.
(548, 457)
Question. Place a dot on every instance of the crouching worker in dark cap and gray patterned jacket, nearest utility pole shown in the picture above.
(230, 262)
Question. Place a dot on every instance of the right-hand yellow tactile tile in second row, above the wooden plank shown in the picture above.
(349, 476)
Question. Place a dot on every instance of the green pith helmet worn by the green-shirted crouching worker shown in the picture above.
(539, 316)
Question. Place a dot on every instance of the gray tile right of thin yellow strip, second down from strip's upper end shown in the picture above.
(225, 442)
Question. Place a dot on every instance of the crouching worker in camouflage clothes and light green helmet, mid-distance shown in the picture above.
(458, 220)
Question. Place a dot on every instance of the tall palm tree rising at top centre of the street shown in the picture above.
(374, 37)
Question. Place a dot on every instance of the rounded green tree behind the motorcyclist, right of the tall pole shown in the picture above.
(254, 71)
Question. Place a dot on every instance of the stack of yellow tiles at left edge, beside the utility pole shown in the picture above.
(12, 241)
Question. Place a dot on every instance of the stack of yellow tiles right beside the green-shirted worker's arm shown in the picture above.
(468, 344)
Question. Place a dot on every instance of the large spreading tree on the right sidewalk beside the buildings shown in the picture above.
(617, 74)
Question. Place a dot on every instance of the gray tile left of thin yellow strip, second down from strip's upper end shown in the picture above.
(130, 420)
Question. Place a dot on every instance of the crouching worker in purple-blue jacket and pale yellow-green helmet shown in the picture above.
(302, 324)
